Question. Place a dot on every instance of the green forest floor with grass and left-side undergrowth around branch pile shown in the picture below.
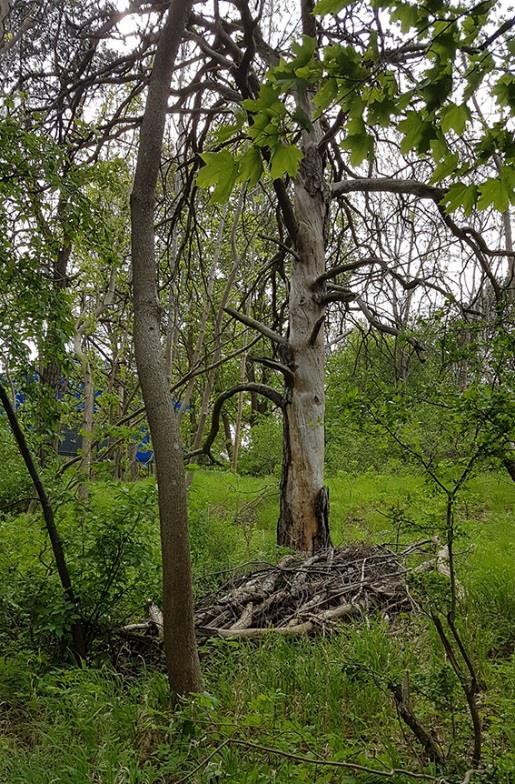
(272, 710)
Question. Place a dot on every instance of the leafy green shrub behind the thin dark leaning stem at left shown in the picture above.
(113, 555)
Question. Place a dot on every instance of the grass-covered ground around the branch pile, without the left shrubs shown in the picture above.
(73, 727)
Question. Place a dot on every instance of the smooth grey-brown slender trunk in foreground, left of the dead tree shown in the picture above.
(179, 632)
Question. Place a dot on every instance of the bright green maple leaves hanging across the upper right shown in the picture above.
(431, 112)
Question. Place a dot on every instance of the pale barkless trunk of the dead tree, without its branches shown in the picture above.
(303, 522)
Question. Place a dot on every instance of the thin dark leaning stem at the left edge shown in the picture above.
(77, 632)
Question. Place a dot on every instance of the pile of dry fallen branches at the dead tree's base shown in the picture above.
(300, 595)
